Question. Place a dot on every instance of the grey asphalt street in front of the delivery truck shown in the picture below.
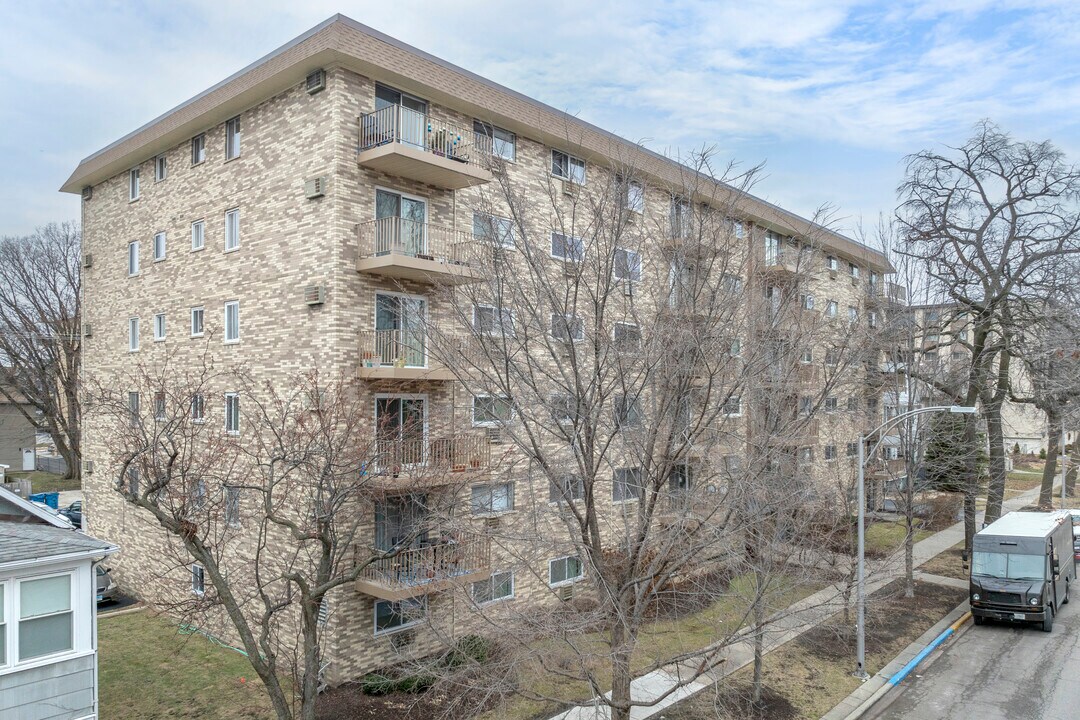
(997, 672)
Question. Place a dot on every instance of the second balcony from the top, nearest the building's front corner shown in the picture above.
(406, 250)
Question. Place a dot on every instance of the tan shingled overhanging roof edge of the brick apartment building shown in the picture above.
(344, 42)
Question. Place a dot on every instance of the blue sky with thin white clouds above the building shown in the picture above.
(830, 96)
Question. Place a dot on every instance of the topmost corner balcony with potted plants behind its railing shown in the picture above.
(408, 144)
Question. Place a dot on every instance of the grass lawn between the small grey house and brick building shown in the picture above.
(148, 670)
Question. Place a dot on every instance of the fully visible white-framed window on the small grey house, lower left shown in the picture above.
(46, 620)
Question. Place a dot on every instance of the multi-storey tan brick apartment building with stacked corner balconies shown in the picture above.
(313, 211)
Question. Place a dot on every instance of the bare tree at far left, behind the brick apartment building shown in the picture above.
(40, 333)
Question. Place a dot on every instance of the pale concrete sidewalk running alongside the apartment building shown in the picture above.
(789, 626)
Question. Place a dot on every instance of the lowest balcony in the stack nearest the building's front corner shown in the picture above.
(428, 567)
